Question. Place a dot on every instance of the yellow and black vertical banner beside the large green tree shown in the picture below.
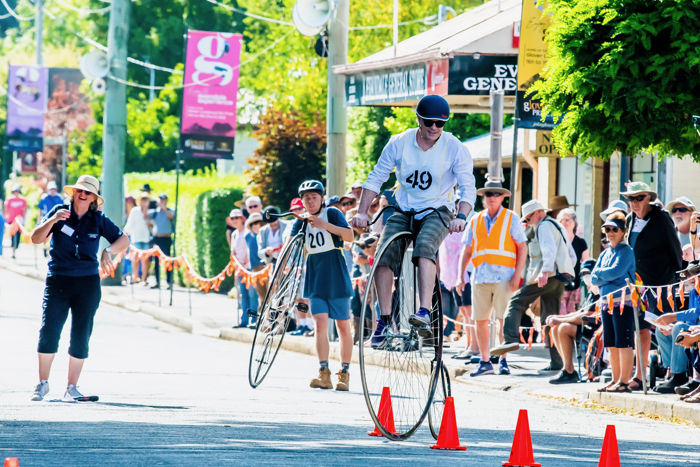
(531, 59)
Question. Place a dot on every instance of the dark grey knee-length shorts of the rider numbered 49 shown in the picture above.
(431, 232)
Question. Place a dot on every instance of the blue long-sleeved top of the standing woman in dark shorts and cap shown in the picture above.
(612, 268)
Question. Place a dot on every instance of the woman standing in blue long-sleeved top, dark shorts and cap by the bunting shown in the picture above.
(616, 265)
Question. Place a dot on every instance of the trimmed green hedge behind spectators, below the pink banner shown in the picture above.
(189, 224)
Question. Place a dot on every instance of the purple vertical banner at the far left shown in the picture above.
(26, 105)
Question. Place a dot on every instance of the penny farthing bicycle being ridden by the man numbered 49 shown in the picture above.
(407, 365)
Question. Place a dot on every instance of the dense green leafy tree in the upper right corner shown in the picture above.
(625, 75)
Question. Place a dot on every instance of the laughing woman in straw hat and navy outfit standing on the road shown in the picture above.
(73, 280)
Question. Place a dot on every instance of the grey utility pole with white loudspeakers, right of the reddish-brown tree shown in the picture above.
(336, 117)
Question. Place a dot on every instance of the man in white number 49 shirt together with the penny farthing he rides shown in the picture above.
(403, 358)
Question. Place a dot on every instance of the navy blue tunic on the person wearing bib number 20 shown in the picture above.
(327, 273)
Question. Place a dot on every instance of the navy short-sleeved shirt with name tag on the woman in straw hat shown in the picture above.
(74, 242)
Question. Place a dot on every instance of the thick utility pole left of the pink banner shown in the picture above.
(114, 134)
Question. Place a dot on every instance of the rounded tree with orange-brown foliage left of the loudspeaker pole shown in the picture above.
(292, 150)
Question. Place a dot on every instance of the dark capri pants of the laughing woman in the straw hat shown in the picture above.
(79, 294)
